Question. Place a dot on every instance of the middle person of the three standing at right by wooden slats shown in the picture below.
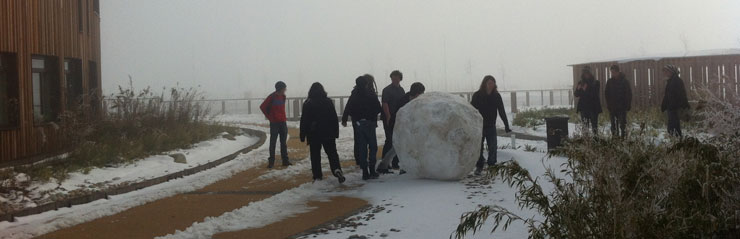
(618, 94)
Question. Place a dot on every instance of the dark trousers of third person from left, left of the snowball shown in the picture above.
(367, 144)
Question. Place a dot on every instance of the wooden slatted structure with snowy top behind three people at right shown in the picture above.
(717, 69)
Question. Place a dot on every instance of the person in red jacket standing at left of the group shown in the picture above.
(274, 109)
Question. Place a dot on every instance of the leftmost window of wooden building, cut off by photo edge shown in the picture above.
(8, 91)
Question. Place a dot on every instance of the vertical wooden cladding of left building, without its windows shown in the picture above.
(52, 28)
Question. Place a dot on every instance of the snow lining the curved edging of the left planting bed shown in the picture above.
(35, 225)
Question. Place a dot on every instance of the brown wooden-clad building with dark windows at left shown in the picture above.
(49, 63)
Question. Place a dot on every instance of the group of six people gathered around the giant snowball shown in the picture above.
(319, 125)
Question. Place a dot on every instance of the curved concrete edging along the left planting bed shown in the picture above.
(103, 194)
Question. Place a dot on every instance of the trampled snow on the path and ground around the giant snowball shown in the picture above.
(413, 208)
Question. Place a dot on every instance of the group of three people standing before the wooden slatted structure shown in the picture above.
(618, 96)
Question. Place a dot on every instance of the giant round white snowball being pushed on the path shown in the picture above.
(438, 136)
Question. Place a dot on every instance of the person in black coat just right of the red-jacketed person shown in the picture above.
(320, 127)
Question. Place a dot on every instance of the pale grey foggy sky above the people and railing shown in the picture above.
(239, 48)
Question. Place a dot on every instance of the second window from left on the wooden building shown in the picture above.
(45, 82)
